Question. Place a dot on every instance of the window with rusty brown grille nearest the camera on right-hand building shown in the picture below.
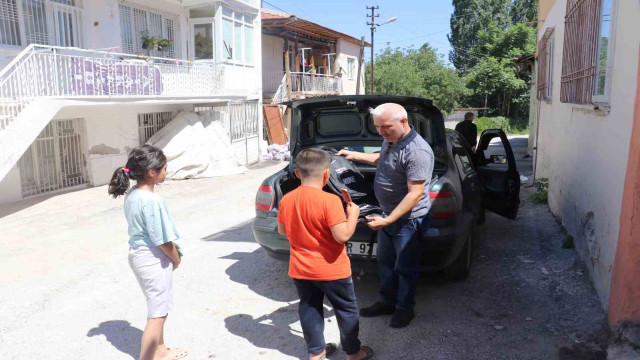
(586, 55)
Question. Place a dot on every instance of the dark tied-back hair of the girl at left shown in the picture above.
(141, 160)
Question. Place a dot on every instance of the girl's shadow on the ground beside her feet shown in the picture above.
(121, 335)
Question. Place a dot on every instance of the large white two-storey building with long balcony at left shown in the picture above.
(80, 86)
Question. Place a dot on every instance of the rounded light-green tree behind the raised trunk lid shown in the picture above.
(420, 73)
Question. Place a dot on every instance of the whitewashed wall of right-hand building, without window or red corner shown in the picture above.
(583, 151)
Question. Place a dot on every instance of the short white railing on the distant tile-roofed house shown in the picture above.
(308, 84)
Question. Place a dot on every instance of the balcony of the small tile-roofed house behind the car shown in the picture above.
(303, 85)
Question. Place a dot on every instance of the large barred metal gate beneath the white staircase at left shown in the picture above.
(54, 161)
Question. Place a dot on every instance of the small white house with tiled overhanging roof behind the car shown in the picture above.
(322, 61)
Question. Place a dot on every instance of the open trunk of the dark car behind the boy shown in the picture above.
(344, 122)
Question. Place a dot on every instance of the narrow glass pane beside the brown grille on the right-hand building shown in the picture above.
(603, 64)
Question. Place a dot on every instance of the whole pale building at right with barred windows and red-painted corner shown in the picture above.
(587, 86)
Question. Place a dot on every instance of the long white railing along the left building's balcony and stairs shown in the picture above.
(50, 71)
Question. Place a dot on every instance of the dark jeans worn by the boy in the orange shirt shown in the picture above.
(343, 299)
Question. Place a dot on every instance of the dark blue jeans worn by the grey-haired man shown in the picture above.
(399, 252)
